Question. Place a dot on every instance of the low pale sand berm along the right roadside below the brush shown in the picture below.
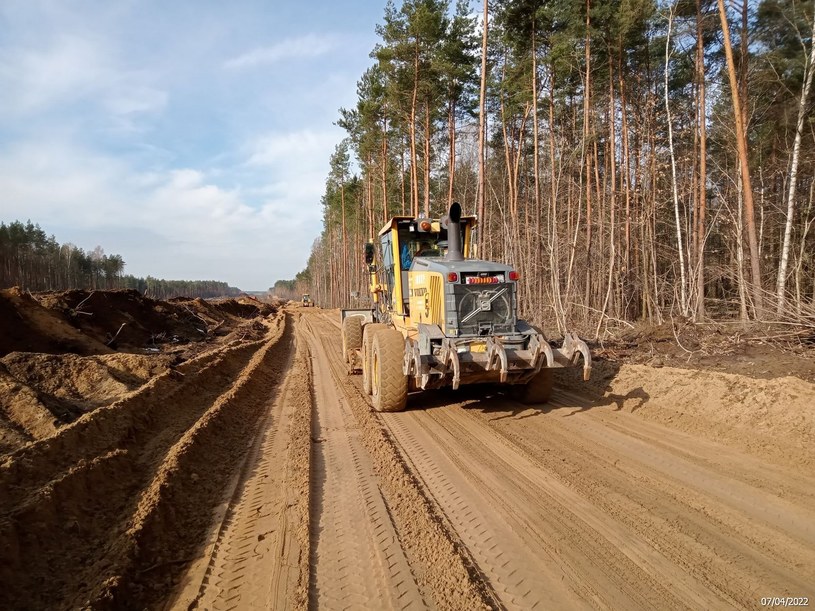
(770, 418)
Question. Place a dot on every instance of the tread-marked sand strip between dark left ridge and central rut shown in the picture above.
(257, 560)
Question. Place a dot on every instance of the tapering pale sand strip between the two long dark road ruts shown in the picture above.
(357, 560)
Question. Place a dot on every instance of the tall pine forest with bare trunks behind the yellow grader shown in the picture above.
(633, 159)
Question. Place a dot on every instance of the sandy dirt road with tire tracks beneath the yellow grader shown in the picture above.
(470, 500)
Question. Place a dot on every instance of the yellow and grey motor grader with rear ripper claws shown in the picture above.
(441, 318)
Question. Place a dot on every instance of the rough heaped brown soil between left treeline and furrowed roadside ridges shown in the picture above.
(57, 357)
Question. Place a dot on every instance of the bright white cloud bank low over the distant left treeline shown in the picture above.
(174, 224)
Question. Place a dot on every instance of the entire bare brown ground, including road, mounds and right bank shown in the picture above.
(245, 469)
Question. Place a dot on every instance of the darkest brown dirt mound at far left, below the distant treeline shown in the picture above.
(25, 325)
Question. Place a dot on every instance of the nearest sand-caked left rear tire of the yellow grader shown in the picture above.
(388, 383)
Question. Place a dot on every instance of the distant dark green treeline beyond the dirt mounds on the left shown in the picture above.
(34, 261)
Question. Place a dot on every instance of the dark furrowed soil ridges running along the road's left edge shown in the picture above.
(102, 513)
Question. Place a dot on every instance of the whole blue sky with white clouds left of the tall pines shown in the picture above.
(192, 137)
